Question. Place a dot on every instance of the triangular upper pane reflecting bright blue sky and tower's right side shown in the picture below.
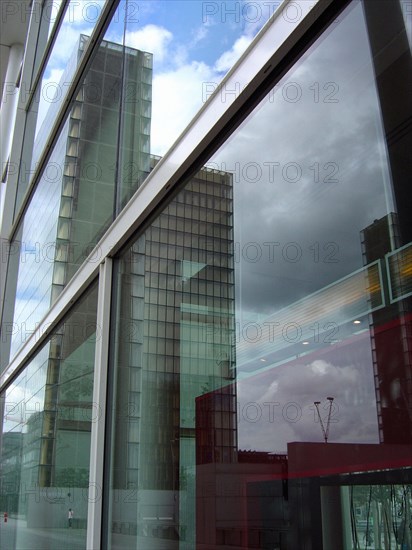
(183, 66)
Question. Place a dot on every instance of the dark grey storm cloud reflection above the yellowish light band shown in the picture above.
(309, 167)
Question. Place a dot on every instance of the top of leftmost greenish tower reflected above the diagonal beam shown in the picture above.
(91, 163)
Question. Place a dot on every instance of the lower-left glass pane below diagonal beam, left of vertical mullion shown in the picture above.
(45, 454)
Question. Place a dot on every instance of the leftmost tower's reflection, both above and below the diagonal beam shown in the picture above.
(88, 161)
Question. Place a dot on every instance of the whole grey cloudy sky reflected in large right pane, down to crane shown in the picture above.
(307, 161)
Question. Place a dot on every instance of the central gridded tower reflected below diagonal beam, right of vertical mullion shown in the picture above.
(177, 303)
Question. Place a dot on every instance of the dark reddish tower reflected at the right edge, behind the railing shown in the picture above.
(391, 336)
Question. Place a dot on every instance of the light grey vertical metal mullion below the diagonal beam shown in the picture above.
(98, 415)
